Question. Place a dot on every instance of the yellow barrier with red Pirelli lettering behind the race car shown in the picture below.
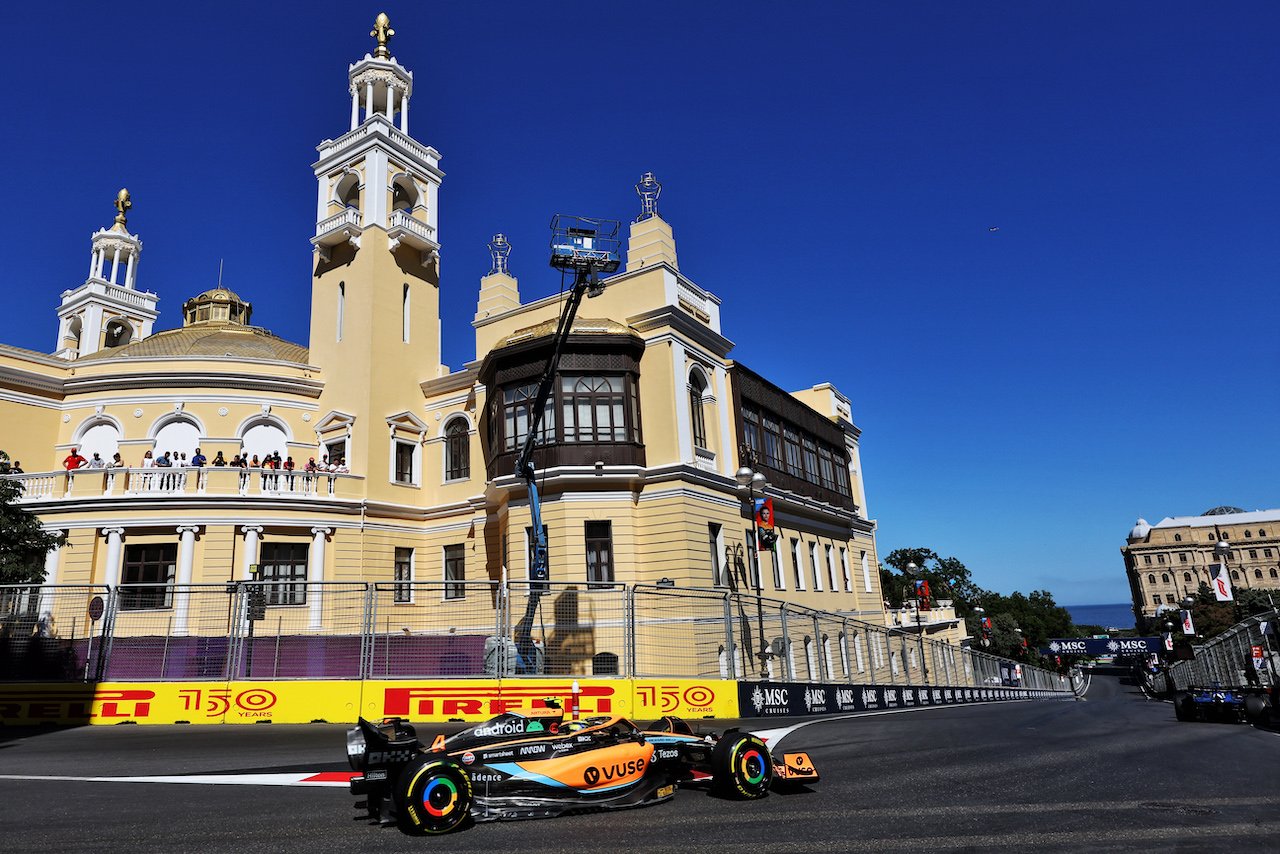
(25, 705)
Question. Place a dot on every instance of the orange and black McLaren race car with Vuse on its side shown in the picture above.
(541, 765)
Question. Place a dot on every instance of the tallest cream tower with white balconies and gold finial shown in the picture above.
(376, 321)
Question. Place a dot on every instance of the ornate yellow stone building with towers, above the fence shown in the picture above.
(646, 432)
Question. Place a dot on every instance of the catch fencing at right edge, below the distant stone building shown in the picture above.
(1228, 660)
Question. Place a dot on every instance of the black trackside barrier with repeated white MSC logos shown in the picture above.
(781, 700)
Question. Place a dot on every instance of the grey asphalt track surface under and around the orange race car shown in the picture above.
(1113, 773)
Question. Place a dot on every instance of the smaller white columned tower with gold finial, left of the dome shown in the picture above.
(108, 310)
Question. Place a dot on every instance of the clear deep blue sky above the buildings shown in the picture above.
(833, 173)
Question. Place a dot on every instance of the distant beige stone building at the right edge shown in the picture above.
(1169, 560)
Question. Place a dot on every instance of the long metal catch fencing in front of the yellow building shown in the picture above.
(335, 631)
